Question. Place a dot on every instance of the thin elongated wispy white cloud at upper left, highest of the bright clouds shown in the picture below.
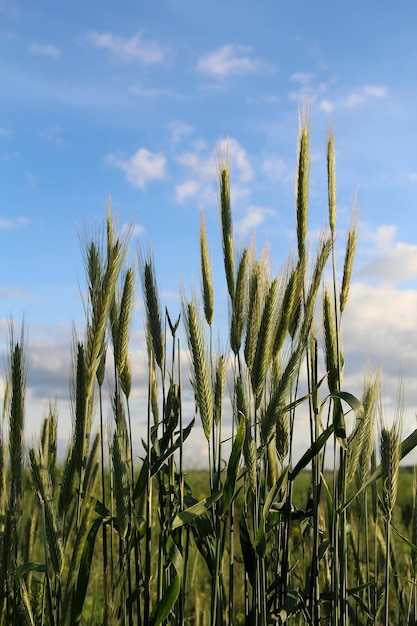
(133, 48)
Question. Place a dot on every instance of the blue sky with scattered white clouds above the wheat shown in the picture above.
(132, 100)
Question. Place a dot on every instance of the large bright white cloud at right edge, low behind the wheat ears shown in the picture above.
(379, 332)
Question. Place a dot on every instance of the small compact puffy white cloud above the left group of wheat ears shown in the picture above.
(144, 166)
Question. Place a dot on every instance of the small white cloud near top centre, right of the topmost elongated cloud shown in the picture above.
(227, 61)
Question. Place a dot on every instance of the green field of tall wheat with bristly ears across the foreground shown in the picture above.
(256, 538)
